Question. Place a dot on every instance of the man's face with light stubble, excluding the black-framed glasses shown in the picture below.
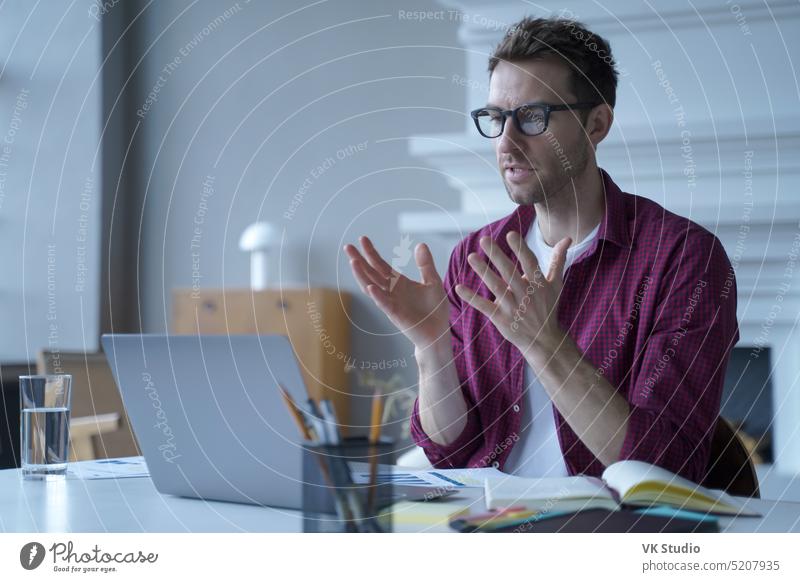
(537, 168)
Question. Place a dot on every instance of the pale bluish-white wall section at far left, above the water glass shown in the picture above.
(49, 177)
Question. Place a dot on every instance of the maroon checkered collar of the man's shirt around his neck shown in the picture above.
(613, 228)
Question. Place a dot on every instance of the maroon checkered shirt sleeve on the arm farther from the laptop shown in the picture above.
(675, 398)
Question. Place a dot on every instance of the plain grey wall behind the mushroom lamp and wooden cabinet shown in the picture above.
(258, 99)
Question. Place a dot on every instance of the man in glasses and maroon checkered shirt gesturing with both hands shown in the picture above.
(589, 325)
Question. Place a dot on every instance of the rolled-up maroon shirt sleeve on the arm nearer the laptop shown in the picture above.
(457, 453)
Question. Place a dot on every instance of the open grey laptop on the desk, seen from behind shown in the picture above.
(208, 416)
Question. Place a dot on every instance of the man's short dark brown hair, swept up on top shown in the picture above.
(594, 74)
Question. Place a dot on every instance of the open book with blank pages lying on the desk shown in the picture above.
(624, 483)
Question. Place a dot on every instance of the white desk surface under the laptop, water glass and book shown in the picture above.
(134, 505)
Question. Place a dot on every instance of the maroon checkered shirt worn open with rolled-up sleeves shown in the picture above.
(651, 304)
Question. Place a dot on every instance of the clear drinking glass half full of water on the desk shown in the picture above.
(44, 425)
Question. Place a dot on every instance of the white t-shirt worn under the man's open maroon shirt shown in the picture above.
(538, 453)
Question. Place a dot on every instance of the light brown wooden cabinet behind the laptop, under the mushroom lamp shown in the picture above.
(316, 322)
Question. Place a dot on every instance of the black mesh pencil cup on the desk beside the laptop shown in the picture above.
(342, 486)
